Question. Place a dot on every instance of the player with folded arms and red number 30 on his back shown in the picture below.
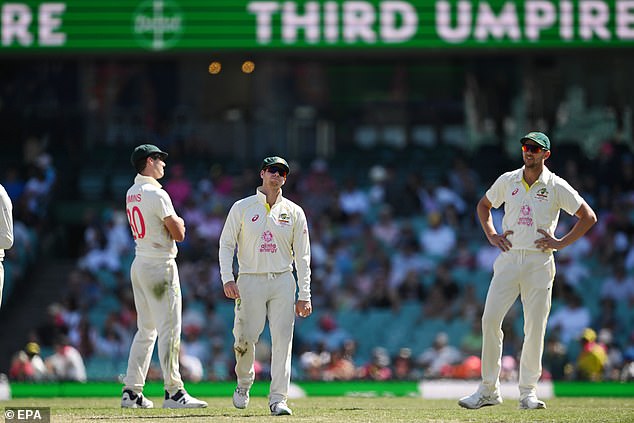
(155, 227)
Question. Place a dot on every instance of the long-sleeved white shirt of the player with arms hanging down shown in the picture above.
(268, 241)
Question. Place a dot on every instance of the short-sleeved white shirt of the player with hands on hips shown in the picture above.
(526, 211)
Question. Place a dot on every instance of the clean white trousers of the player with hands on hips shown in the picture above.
(530, 275)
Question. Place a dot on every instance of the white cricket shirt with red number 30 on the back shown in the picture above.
(147, 204)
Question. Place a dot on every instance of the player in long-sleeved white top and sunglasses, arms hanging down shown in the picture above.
(270, 233)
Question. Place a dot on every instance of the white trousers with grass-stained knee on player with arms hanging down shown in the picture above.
(265, 296)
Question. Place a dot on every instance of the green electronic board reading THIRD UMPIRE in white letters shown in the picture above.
(199, 25)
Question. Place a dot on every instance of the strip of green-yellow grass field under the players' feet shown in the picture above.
(336, 410)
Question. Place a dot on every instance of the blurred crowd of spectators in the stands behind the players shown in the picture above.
(390, 241)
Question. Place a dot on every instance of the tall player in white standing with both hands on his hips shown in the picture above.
(532, 198)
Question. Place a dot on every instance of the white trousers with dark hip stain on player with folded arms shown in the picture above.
(158, 301)
